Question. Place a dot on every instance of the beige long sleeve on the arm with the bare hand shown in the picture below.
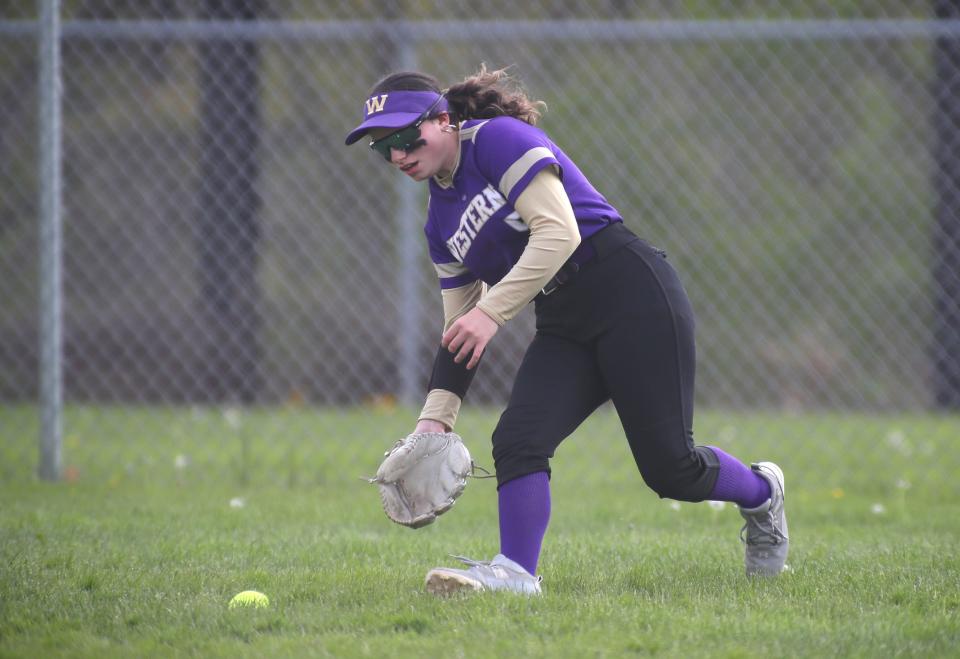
(545, 208)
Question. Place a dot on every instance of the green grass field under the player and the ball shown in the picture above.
(139, 551)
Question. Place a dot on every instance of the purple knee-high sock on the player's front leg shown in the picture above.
(524, 513)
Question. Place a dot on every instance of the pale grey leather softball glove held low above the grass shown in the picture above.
(421, 477)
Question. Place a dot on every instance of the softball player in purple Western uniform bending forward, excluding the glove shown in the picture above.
(511, 219)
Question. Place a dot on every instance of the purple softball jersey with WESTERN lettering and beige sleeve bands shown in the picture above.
(472, 229)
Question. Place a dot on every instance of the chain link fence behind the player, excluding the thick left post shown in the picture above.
(230, 267)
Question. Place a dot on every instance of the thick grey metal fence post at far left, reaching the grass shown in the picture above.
(51, 244)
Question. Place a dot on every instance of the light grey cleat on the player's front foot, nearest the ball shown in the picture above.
(499, 574)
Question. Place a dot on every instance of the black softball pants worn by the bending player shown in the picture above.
(623, 330)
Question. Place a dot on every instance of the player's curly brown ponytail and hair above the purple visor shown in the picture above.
(483, 95)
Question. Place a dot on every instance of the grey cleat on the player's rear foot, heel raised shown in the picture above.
(765, 531)
